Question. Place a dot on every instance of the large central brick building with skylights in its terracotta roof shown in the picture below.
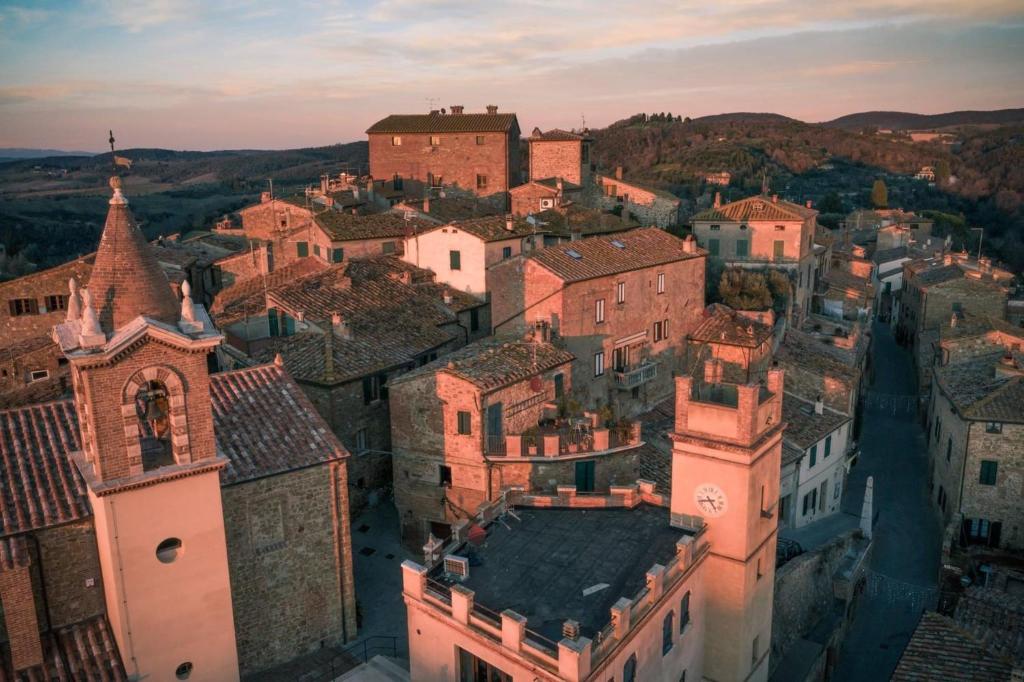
(621, 305)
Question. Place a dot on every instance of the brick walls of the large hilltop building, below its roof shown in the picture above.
(458, 160)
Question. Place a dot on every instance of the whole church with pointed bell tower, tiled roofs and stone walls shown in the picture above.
(158, 517)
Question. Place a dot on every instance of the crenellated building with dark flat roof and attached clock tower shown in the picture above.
(703, 610)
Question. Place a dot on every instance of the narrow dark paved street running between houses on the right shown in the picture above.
(906, 560)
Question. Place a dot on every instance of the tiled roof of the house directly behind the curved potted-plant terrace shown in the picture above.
(494, 363)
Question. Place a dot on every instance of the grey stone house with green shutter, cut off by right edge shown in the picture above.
(975, 436)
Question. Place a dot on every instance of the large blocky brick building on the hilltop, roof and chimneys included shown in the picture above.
(479, 153)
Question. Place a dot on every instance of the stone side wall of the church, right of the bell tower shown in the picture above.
(291, 587)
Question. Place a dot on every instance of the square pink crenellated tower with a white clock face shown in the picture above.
(726, 470)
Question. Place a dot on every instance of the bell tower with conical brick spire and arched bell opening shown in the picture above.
(142, 389)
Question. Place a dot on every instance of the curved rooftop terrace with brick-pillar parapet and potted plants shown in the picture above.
(579, 437)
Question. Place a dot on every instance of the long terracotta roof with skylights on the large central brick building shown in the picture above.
(586, 260)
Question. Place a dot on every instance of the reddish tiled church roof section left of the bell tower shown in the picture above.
(39, 485)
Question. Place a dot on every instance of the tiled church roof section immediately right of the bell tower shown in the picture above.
(266, 425)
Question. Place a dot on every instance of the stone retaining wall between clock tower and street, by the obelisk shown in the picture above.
(805, 593)
